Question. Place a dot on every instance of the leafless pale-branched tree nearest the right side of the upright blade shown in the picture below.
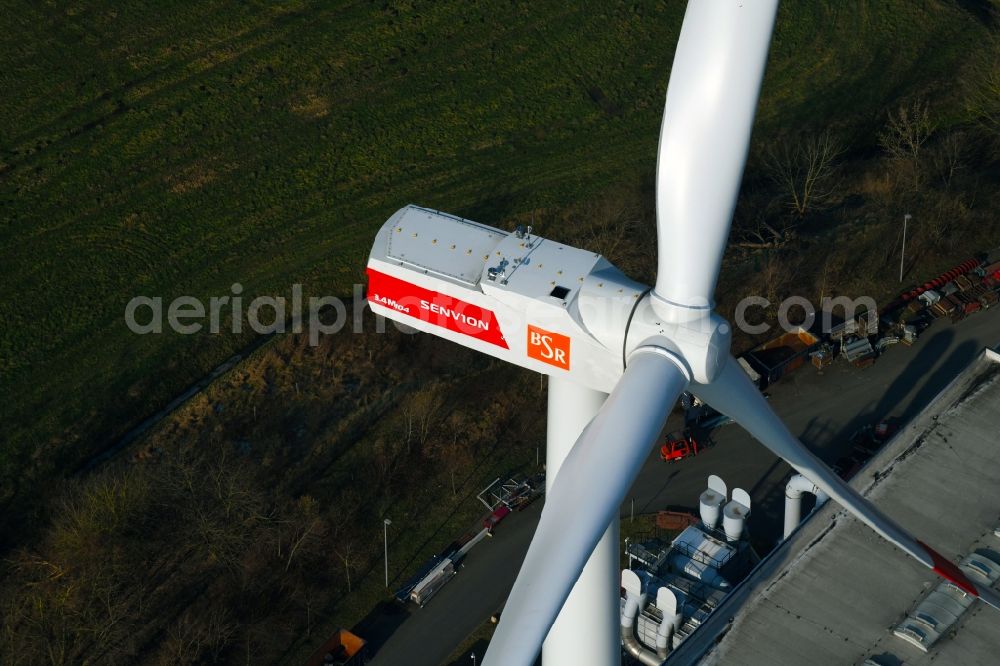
(804, 168)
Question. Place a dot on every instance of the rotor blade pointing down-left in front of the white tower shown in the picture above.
(582, 501)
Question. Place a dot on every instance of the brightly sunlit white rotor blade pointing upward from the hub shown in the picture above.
(711, 101)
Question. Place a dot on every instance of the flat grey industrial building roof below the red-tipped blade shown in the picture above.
(835, 591)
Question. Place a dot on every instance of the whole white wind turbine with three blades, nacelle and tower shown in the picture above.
(570, 314)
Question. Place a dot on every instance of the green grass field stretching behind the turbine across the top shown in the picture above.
(174, 148)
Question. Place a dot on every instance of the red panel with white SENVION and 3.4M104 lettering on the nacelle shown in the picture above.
(434, 307)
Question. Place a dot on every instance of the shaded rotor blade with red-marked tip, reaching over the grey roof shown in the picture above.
(733, 394)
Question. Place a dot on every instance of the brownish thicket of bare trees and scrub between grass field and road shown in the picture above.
(250, 522)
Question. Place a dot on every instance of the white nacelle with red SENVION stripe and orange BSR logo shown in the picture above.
(525, 299)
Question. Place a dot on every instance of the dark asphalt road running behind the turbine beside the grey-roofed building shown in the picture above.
(822, 409)
